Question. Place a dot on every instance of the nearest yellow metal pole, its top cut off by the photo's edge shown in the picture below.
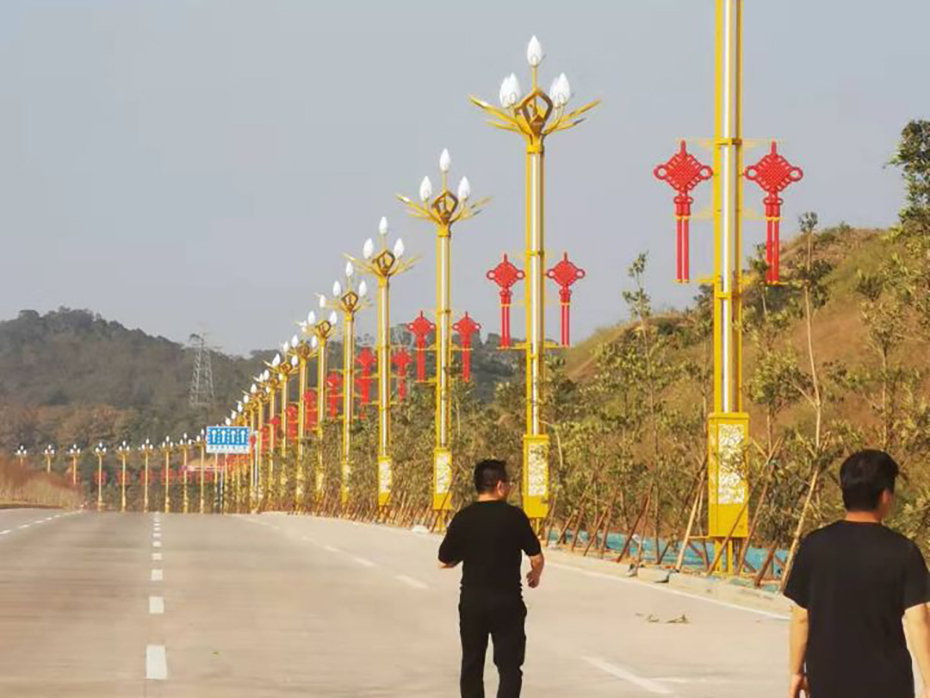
(728, 427)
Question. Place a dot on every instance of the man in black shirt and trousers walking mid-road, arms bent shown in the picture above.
(489, 537)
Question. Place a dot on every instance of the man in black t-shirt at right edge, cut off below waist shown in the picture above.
(851, 584)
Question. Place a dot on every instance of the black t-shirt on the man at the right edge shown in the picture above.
(856, 580)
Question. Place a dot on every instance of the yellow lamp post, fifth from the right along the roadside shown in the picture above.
(349, 301)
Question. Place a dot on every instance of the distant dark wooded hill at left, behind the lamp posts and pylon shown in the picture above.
(71, 376)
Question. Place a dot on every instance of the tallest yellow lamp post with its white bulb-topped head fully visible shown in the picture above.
(535, 116)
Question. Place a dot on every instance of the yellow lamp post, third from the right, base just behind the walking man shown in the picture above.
(443, 211)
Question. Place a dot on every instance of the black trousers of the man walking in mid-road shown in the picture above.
(502, 618)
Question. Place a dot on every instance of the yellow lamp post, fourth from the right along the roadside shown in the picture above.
(384, 263)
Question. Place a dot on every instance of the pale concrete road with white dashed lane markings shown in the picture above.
(251, 606)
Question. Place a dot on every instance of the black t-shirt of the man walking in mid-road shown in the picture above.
(488, 537)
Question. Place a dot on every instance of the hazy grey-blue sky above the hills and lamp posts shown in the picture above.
(173, 164)
